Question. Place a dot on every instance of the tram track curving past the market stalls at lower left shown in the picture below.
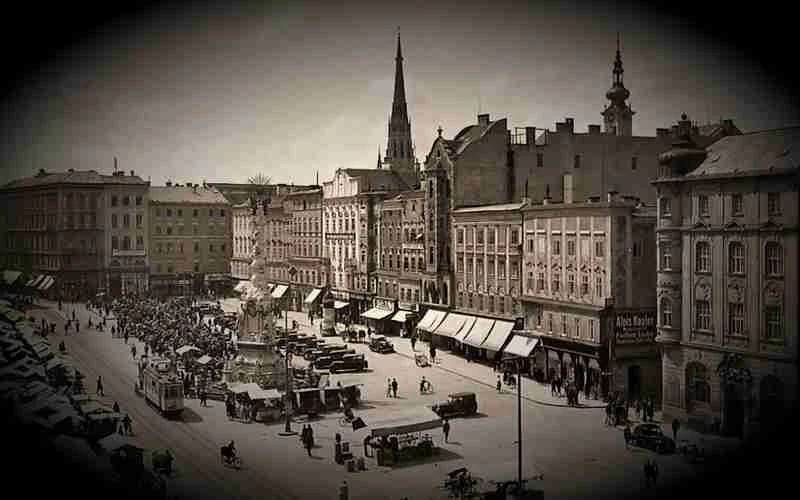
(144, 412)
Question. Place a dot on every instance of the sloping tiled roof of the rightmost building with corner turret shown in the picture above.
(768, 151)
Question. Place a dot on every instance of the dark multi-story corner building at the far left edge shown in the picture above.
(58, 224)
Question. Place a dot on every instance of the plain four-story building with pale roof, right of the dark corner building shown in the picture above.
(190, 235)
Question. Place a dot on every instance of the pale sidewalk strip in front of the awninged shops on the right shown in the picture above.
(479, 373)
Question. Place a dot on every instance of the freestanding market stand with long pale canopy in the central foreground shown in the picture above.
(403, 437)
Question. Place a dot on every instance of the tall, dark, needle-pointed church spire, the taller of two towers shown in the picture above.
(400, 149)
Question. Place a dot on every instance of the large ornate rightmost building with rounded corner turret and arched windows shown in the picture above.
(727, 279)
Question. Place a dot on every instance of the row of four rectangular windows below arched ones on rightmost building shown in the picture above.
(773, 318)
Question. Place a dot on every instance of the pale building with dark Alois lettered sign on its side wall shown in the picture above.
(588, 290)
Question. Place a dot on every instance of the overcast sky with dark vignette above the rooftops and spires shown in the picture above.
(291, 88)
